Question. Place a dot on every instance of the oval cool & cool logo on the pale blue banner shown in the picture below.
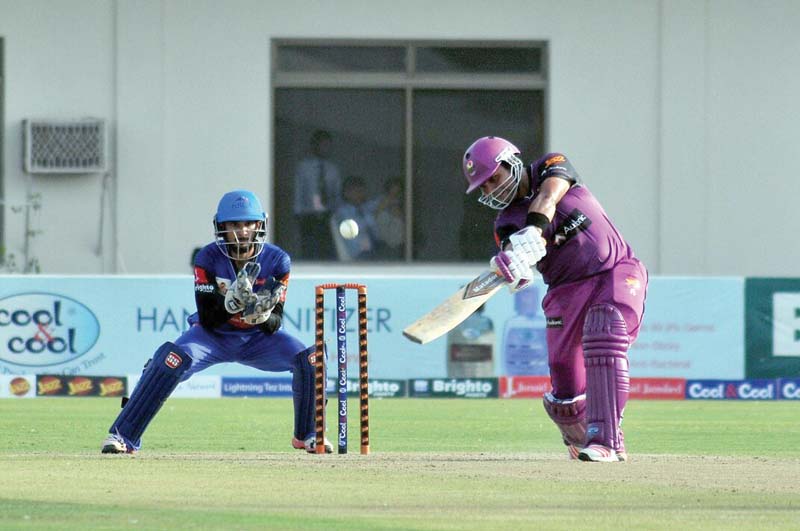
(41, 329)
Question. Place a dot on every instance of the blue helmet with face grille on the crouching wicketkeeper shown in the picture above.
(240, 205)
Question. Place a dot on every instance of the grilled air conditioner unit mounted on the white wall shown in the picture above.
(76, 146)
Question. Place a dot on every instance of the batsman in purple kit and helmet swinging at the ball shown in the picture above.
(548, 219)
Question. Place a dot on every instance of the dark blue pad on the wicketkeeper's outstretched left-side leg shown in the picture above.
(160, 377)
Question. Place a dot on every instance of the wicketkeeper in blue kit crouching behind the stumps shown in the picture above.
(240, 284)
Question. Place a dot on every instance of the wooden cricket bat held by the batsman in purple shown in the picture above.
(454, 310)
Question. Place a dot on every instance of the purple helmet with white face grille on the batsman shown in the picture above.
(481, 161)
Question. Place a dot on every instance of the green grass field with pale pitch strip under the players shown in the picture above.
(435, 464)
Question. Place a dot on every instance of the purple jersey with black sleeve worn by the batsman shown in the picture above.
(581, 239)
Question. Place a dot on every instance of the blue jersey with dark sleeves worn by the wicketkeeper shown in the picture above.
(214, 273)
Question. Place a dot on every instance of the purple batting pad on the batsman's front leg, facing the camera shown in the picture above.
(605, 351)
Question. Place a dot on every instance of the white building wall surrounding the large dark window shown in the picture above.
(673, 111)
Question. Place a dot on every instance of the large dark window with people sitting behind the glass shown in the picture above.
(376, 130)
